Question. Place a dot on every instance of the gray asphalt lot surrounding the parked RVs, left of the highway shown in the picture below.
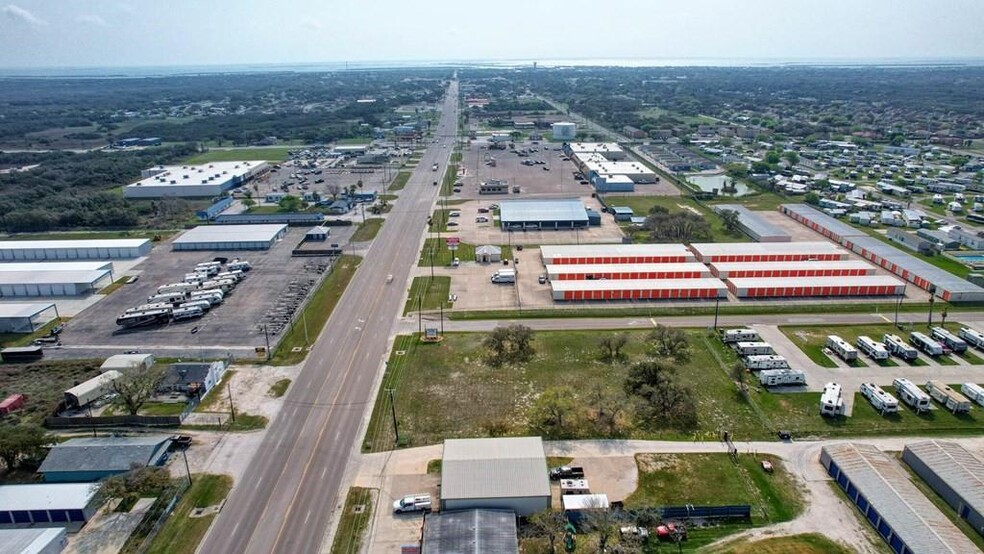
(235, 326)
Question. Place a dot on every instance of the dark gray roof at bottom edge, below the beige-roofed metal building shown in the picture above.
(471, 531)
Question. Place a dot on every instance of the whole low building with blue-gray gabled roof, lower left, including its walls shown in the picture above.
(94, 458)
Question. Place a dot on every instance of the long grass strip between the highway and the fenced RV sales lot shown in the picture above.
(316, 312)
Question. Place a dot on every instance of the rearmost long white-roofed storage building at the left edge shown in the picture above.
(97, 249)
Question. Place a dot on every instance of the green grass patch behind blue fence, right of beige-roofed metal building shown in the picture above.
(715, 480)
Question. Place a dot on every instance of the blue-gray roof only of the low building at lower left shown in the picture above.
(104, 453)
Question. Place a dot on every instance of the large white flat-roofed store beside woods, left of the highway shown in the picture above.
(193, 181)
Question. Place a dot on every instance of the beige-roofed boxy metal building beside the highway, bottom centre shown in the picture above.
(499, 474)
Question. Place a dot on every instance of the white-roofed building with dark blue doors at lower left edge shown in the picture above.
(48, 504)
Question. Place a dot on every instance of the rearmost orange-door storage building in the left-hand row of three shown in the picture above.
(570, 254)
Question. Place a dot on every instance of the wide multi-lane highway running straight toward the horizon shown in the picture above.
(284, 501)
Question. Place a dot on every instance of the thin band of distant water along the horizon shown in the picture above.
(163, 70)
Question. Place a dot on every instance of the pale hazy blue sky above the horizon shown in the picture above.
(108, 33)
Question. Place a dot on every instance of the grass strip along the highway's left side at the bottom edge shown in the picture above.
(180, 533)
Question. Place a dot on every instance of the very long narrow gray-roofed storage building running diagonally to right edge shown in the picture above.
(948, 286)
